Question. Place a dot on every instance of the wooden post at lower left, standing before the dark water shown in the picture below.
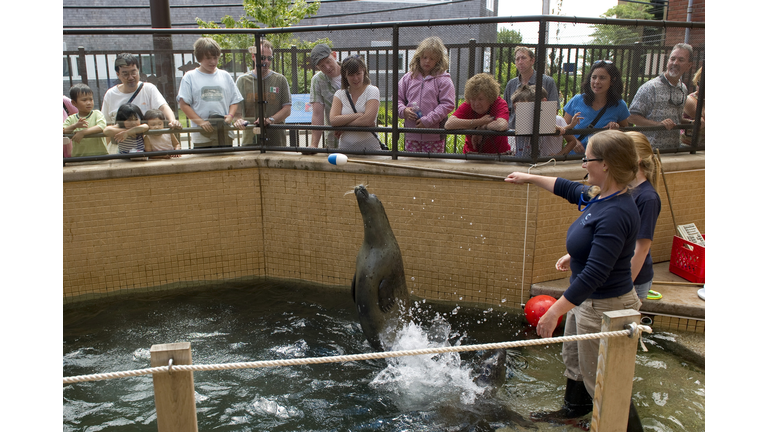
(175, 391)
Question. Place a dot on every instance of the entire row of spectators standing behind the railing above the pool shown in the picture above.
(342, 95)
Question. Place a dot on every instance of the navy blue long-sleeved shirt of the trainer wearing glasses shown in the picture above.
(601, 243)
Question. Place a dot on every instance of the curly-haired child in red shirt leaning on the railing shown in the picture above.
(483, 109)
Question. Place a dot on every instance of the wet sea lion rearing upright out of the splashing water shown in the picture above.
(378, 287)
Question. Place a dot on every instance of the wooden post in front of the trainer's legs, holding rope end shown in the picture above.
(615, 373)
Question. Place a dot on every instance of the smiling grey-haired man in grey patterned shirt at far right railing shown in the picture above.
(660, 101)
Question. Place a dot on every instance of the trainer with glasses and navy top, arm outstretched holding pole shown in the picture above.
(601, 243)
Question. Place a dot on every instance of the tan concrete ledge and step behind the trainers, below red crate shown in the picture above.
(678, 301)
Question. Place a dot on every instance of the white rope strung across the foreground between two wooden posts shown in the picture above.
(355, 357)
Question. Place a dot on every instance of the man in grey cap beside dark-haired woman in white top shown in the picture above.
(324, 84)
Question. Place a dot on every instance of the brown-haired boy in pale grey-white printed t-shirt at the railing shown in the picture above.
(208, 92)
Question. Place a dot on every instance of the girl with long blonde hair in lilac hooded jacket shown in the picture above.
(426, 96)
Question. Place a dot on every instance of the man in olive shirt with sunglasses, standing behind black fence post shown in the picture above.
(278, 97)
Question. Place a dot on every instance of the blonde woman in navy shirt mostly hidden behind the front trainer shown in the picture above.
(649, 206)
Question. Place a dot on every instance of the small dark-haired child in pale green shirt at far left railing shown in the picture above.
(85, 122)
